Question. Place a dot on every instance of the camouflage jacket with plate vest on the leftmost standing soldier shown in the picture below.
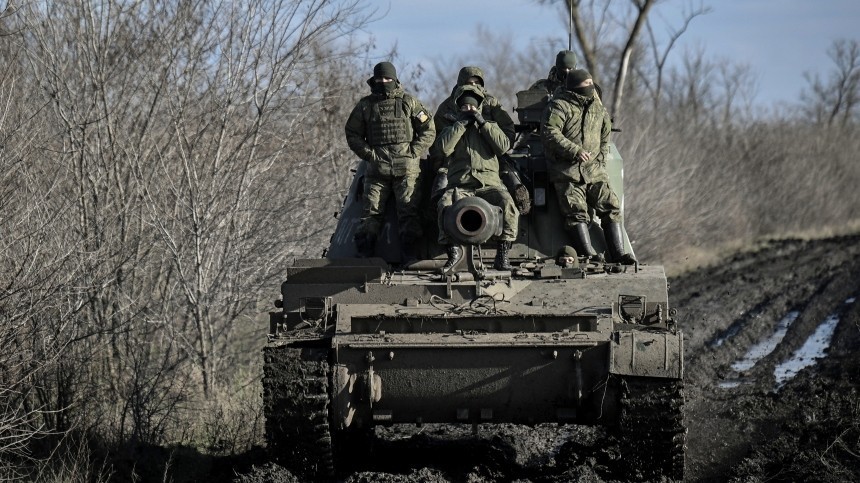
(391, 132)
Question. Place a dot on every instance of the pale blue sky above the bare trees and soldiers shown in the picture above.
(780, 39)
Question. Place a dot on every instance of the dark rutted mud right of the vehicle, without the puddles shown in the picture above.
(726, 310)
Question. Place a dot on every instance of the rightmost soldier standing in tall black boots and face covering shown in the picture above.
(575, 130)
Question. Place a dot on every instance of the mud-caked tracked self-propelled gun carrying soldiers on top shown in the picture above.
(361, 342)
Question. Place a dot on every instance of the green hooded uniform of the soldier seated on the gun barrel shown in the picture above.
(472, 161)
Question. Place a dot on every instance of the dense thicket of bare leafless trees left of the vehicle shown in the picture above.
(161, 163)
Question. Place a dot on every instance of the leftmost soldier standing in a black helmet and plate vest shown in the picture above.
(390, 130)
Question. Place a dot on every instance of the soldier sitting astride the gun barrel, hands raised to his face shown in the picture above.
(472, 146)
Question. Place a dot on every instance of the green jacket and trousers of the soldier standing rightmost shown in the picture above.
(571, 124)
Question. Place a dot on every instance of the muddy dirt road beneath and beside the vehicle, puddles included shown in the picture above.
(772, 375)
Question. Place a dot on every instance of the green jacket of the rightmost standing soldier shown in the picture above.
(570, 124)
